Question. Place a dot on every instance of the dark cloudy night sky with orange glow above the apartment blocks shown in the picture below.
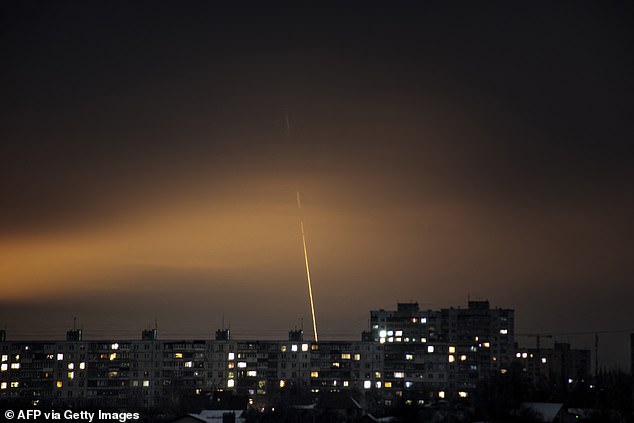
(443, 151)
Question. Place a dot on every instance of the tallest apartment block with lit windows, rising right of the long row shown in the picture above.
(432, 354)
